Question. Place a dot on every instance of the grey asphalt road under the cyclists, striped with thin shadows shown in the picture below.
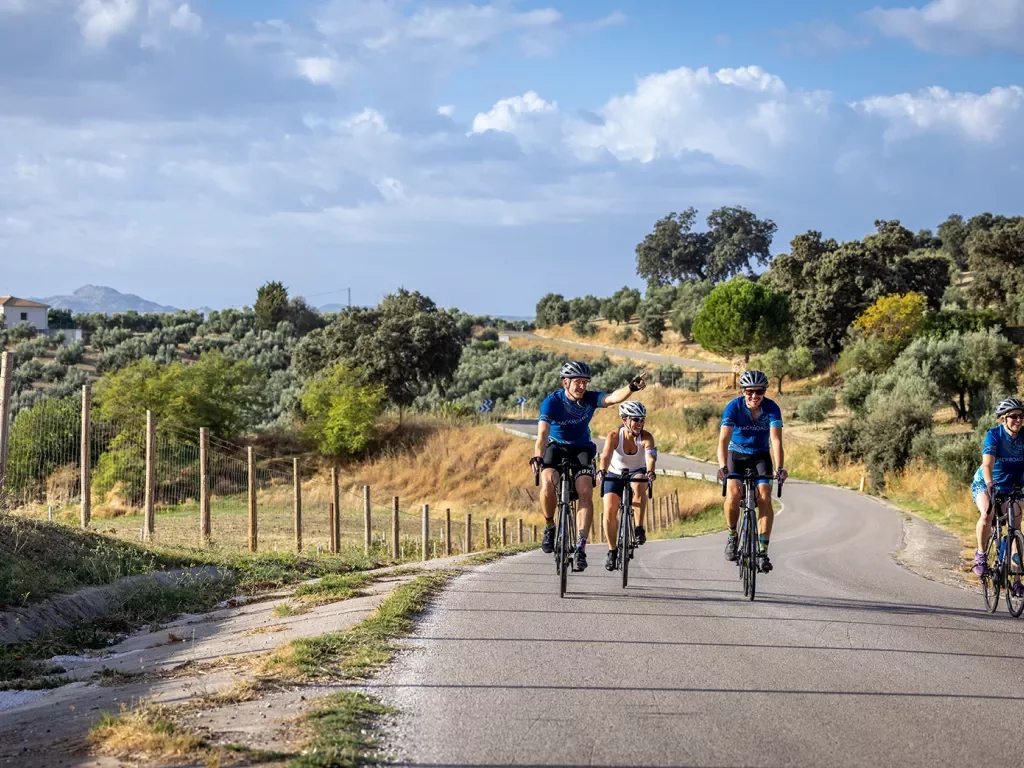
(845, 659)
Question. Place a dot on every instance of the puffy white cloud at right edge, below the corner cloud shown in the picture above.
(980, 118)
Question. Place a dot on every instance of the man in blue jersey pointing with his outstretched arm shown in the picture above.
(564, 431)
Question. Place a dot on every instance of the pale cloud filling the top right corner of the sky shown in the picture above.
(956, 26)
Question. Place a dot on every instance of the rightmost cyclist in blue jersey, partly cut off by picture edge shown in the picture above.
(1002, 468)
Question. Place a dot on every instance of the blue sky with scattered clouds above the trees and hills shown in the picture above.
(482, 153)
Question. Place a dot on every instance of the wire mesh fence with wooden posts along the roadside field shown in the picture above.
(45, 476)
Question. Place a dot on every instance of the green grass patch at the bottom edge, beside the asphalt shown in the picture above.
(346, 733)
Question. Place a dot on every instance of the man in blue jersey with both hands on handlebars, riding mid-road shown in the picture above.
(751, 437)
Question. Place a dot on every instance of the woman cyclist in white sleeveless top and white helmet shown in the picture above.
(629, 448)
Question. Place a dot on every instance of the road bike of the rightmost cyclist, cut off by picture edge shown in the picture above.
(1004, 552)
